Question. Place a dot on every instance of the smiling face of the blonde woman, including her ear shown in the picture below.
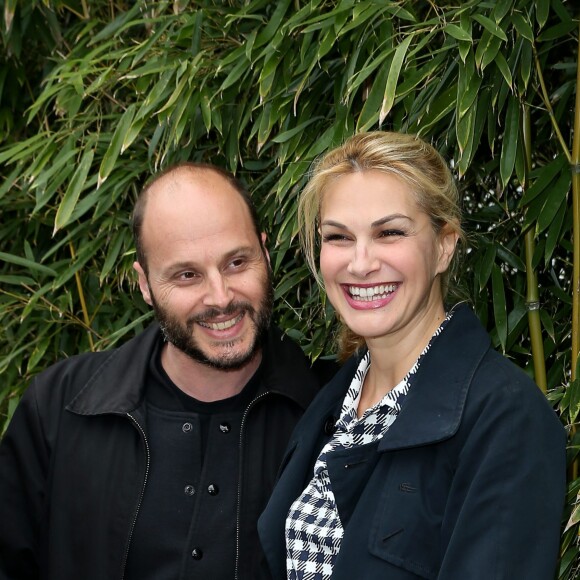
(380, 257)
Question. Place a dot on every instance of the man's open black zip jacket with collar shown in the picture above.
(74, 461)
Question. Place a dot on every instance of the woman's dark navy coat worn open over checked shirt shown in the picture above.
(467, 484)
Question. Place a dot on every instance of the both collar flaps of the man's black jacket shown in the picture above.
(118, 384)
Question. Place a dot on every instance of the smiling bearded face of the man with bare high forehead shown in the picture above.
(208, 276)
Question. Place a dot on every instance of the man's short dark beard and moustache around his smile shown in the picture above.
(182, 335)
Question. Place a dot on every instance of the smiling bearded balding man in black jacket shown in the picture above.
(154, 460)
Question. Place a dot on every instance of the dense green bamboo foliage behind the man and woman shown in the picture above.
(96, 95)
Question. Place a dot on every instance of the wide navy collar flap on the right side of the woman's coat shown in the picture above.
(433, 408)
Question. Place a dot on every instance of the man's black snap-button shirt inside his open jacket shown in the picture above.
(186, 522)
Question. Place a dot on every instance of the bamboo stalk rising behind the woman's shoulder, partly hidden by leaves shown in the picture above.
(532, 290)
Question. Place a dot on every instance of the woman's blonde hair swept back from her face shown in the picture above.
(406, 157)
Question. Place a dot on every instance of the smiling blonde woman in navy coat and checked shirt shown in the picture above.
(429, 455)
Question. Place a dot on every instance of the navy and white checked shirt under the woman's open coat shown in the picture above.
(313, 528)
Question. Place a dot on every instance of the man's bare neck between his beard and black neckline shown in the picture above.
(203, 382)
